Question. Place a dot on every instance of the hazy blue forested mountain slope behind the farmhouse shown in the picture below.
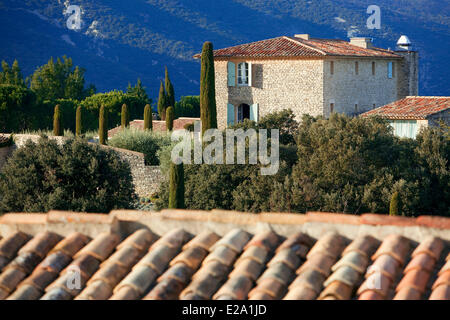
(122, 40)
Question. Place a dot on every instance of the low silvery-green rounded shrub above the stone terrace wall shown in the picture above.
(146, 142)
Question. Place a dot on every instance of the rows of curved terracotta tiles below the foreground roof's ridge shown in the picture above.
(236, 265)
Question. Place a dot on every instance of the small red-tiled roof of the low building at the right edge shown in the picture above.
(411, 108)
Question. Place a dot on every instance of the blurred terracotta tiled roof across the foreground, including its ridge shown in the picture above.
(131, 255)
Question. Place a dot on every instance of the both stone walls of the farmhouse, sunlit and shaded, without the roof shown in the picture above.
(307, 86)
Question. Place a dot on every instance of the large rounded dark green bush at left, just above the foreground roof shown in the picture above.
(76, 176)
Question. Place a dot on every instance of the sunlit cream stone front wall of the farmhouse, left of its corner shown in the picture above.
(277, 85)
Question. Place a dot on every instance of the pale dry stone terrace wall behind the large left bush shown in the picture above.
(146, 179)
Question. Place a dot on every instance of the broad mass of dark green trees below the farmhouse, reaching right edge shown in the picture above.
(351, 165)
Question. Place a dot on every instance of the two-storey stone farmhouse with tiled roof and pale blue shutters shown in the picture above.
(309, 75)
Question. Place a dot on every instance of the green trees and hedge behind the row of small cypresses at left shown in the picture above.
(60, 83)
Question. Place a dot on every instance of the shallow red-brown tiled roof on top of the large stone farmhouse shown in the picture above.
(297, 47)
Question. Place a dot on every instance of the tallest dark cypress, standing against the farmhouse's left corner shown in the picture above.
(208, 112)
